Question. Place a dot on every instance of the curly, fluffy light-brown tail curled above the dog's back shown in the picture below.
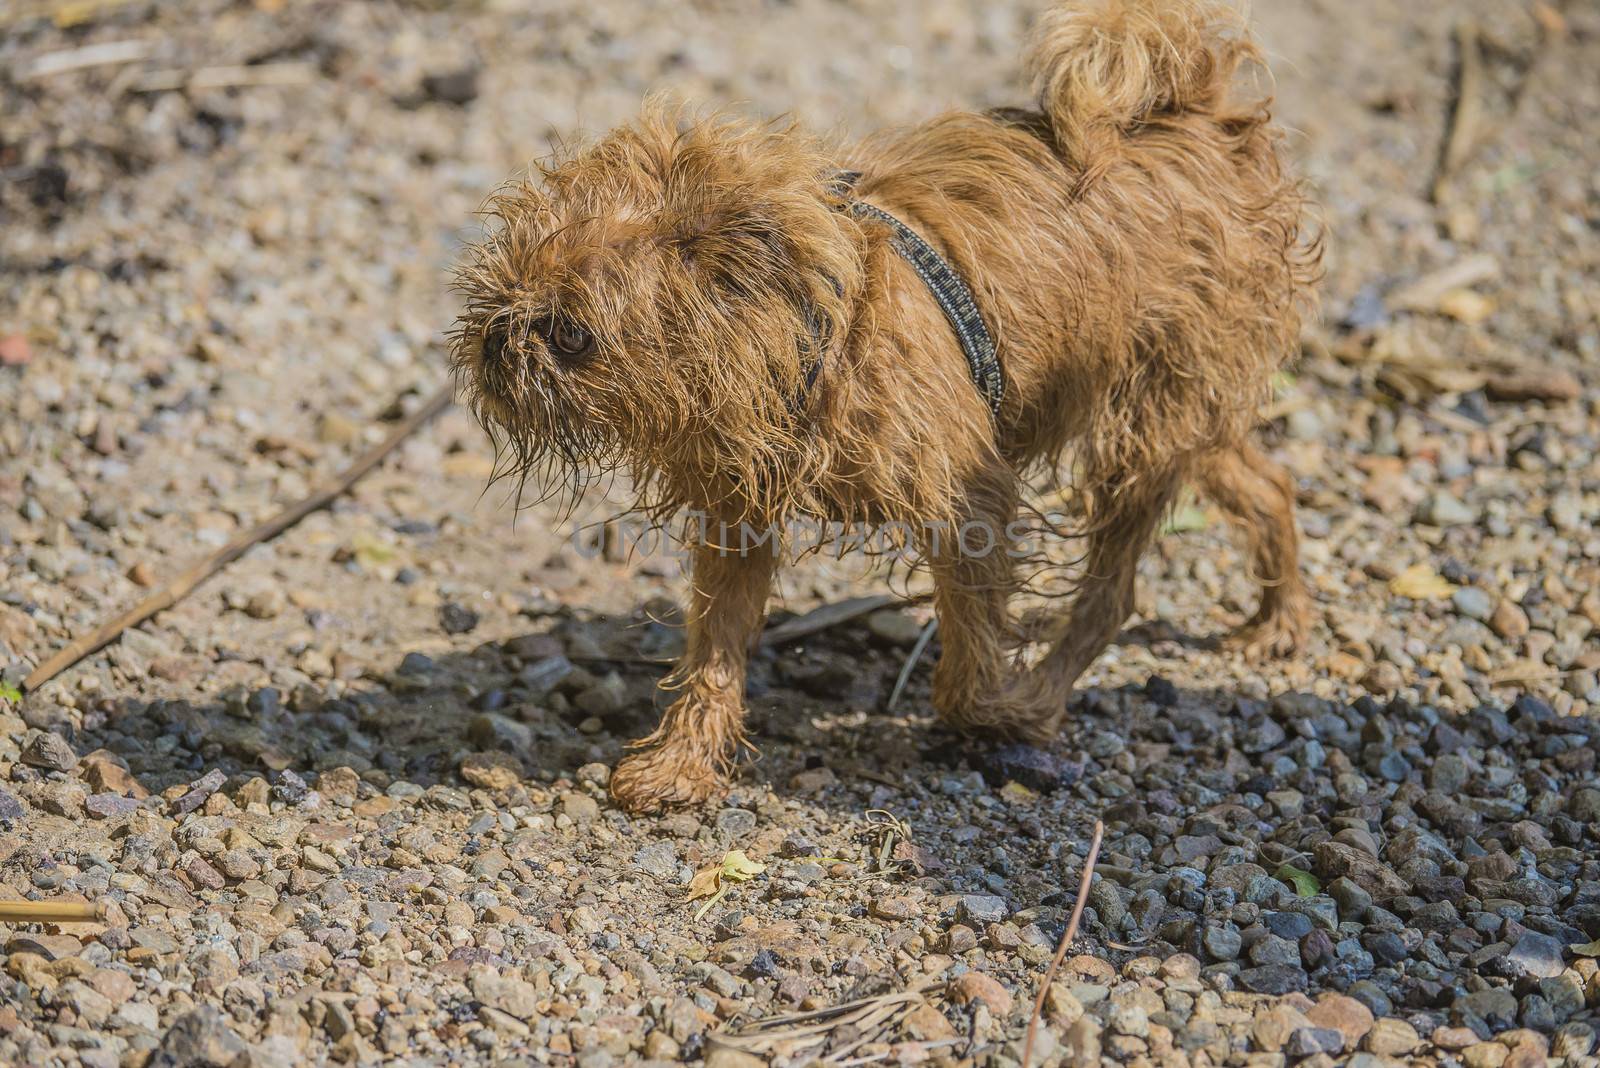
(1105, 68)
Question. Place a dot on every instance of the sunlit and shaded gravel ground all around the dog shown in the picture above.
(348, 802)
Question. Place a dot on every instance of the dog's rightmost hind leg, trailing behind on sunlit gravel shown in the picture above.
(1258, 496)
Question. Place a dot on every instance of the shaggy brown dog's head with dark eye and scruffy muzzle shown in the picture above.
(657, 303)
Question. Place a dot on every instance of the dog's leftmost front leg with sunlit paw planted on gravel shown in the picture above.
(689, 757)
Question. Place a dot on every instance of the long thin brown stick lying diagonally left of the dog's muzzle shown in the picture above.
(180, 586)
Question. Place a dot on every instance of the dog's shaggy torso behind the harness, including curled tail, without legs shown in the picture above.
(1135, 234)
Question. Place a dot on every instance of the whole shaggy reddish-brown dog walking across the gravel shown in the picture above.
(692, 300)
